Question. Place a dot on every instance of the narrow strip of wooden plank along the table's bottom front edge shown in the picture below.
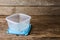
(34, 38)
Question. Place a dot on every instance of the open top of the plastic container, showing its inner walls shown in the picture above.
(17, 18)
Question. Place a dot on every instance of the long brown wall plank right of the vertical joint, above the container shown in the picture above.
(39, 10)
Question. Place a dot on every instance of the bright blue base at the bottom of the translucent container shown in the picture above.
(23, 33)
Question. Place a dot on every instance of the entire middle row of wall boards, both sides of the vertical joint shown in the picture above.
(30, 10)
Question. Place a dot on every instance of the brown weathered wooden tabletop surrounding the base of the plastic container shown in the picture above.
(42, 26)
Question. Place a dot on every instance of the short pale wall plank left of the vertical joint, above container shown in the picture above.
(6, 10)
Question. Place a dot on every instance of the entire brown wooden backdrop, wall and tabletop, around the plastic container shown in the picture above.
(45, 18)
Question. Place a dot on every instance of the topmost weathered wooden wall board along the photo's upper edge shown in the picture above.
(29, 2)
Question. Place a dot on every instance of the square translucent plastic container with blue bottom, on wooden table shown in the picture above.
(19, 24)
